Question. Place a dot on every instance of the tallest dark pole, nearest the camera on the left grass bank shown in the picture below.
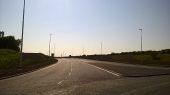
(22, 34)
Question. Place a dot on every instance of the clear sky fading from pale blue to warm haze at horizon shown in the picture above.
(78, 25)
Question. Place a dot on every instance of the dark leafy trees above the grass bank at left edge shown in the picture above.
(9, 42)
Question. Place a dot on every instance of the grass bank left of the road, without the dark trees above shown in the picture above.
(9, 62)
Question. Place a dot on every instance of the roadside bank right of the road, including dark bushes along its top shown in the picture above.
(152, 58)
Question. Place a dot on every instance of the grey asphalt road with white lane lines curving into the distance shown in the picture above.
(82, 77)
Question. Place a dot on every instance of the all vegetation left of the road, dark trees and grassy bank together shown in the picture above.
(10, 58)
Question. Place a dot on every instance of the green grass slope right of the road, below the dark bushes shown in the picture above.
(162, 60)
